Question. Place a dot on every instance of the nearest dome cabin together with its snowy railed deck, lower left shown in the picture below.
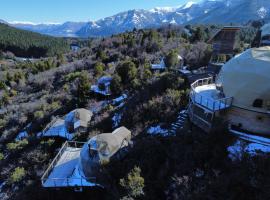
(78, 165)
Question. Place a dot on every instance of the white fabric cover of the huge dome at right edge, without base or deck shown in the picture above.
(246, 77)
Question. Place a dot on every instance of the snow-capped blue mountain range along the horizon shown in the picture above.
(204, 12)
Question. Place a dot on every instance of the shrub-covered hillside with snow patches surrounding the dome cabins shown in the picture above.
(189, 165)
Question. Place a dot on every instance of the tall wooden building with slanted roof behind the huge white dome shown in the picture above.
(223, 44)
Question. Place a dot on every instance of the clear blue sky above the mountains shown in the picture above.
(73, 10)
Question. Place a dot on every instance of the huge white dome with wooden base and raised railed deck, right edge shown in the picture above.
(240, 95)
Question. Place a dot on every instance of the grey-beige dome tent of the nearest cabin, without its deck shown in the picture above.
(101, 149)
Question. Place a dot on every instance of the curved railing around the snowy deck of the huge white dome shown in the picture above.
(208, 103)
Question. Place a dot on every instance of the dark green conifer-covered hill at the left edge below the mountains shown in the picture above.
(29, 44)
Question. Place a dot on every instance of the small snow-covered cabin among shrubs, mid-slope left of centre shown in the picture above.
(103, 86)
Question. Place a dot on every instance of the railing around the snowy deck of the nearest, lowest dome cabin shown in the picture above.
(68, 180)
